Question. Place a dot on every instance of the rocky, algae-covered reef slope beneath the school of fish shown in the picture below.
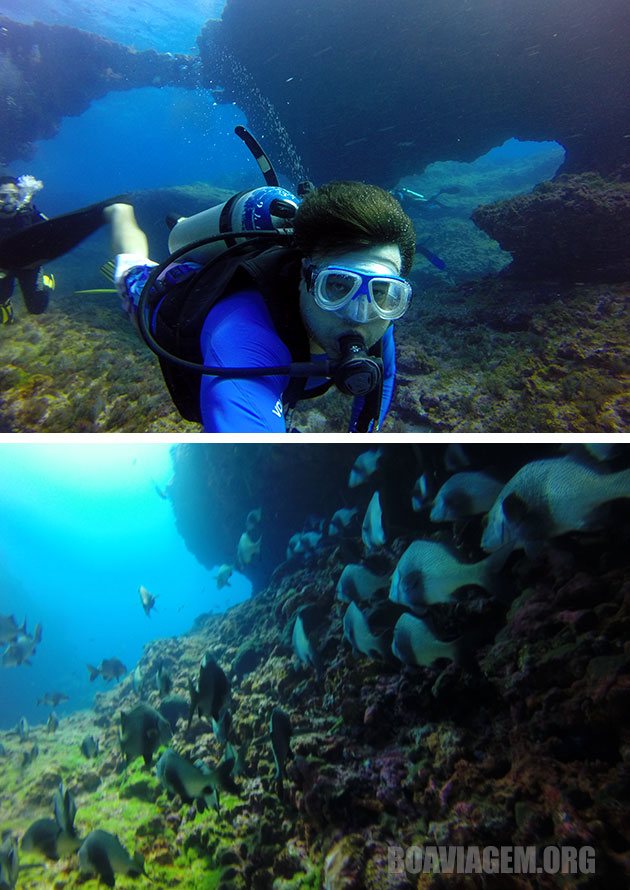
(531, 747)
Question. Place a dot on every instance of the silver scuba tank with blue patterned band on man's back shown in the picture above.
(263, 209)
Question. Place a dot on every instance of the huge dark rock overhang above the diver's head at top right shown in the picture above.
(374, 91)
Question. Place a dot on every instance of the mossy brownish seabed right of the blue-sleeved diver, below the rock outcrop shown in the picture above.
(502, 356)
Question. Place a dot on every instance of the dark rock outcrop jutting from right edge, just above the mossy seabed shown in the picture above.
(575, 228)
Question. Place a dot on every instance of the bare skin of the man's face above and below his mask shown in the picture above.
(326, 327)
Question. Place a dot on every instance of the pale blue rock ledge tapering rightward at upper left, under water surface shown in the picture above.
(48, 72)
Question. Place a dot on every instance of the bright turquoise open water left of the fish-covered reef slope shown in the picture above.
(80, 529)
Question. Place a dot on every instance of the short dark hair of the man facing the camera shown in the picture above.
(343, 215)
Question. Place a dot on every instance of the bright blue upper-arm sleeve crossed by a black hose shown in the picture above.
(239, 332)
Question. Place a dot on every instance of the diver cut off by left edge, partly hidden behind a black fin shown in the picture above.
(17, 212)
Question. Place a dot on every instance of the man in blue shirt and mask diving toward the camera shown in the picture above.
(272, 298)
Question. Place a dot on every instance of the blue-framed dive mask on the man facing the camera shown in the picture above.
(357, 295)
